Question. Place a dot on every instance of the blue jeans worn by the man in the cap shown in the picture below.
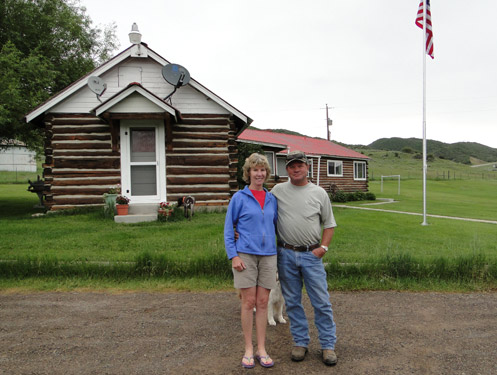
(298, 268)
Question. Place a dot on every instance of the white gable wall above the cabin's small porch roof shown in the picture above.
(186, 99)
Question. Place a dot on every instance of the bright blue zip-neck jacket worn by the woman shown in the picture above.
(256, 226)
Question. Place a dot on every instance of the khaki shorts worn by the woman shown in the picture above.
(260, 271)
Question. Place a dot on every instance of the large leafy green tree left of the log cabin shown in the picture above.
(45, 45)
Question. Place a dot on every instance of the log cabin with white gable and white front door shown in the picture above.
(156, 142)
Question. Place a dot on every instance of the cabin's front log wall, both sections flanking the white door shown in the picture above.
(82, 160)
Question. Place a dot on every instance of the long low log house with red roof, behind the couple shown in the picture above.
(331, 165)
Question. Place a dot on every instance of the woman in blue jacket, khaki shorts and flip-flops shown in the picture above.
(253, 212)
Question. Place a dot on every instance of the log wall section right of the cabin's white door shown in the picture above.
(203, 160)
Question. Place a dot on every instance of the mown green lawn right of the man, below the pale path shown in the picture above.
(363, 235)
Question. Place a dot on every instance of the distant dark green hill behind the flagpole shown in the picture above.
(460, 152)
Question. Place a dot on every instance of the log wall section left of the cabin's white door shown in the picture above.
(80, 162)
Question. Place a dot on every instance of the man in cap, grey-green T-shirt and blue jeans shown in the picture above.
(303, 210)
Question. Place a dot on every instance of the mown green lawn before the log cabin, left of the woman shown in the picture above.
(90, 236)
